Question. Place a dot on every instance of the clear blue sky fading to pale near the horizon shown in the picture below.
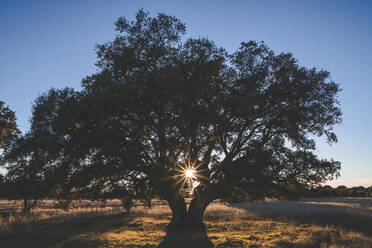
(46, 44)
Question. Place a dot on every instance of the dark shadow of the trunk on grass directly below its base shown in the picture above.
(189, 238)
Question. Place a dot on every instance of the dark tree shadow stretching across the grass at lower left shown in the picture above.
(75, 232)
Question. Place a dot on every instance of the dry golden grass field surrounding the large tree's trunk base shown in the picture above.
(308, 223)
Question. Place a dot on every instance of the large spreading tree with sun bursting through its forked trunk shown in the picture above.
(187, 115)
